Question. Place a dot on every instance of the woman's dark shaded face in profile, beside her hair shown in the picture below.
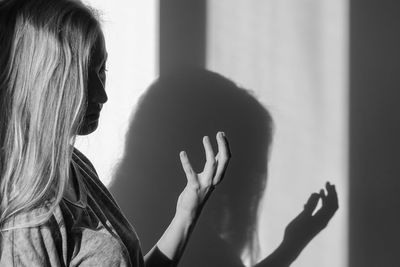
(96, 86)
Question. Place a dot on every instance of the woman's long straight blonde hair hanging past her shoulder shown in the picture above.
(43, 78)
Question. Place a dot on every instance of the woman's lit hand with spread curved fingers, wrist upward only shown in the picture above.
(200, 185)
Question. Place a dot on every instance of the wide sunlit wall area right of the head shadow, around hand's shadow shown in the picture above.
(293, 55)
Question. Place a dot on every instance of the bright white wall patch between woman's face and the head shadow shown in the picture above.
(130, 29)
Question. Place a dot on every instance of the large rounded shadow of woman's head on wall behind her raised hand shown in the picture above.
(173, 115)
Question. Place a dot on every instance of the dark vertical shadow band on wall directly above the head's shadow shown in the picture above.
(182, 36)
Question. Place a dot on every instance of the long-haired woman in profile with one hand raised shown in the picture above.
(54, 209)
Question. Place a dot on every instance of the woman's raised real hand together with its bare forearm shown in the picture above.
(198, 188)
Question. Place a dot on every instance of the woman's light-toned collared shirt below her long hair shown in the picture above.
(89, 232)
